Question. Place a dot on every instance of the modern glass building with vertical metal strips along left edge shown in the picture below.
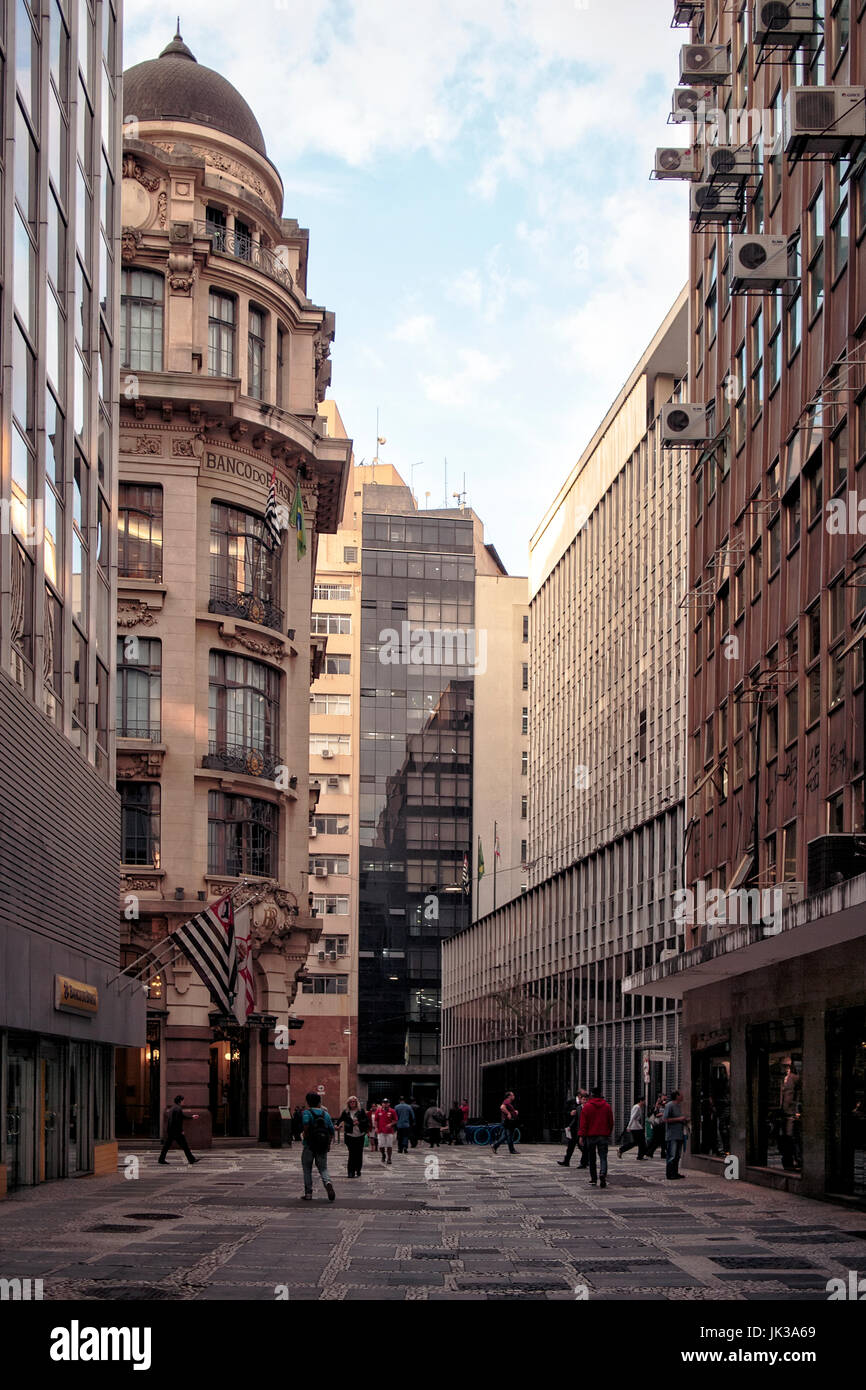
(62, 1011)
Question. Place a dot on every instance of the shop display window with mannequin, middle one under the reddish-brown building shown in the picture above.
(776, 1067)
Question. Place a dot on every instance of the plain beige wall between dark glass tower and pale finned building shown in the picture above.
(501, 753)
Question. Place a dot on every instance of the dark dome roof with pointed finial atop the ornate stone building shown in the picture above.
(177, 88)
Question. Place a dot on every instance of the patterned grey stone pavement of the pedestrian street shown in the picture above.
(487, 1227)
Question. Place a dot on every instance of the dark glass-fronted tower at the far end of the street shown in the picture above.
(420, 660)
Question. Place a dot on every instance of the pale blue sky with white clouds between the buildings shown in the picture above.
(475, 176)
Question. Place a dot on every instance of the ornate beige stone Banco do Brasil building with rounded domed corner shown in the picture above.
(223, 363)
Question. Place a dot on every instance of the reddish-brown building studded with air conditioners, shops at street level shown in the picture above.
(774, 989)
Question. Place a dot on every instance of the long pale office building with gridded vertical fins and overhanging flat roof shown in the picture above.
(607, 761)
